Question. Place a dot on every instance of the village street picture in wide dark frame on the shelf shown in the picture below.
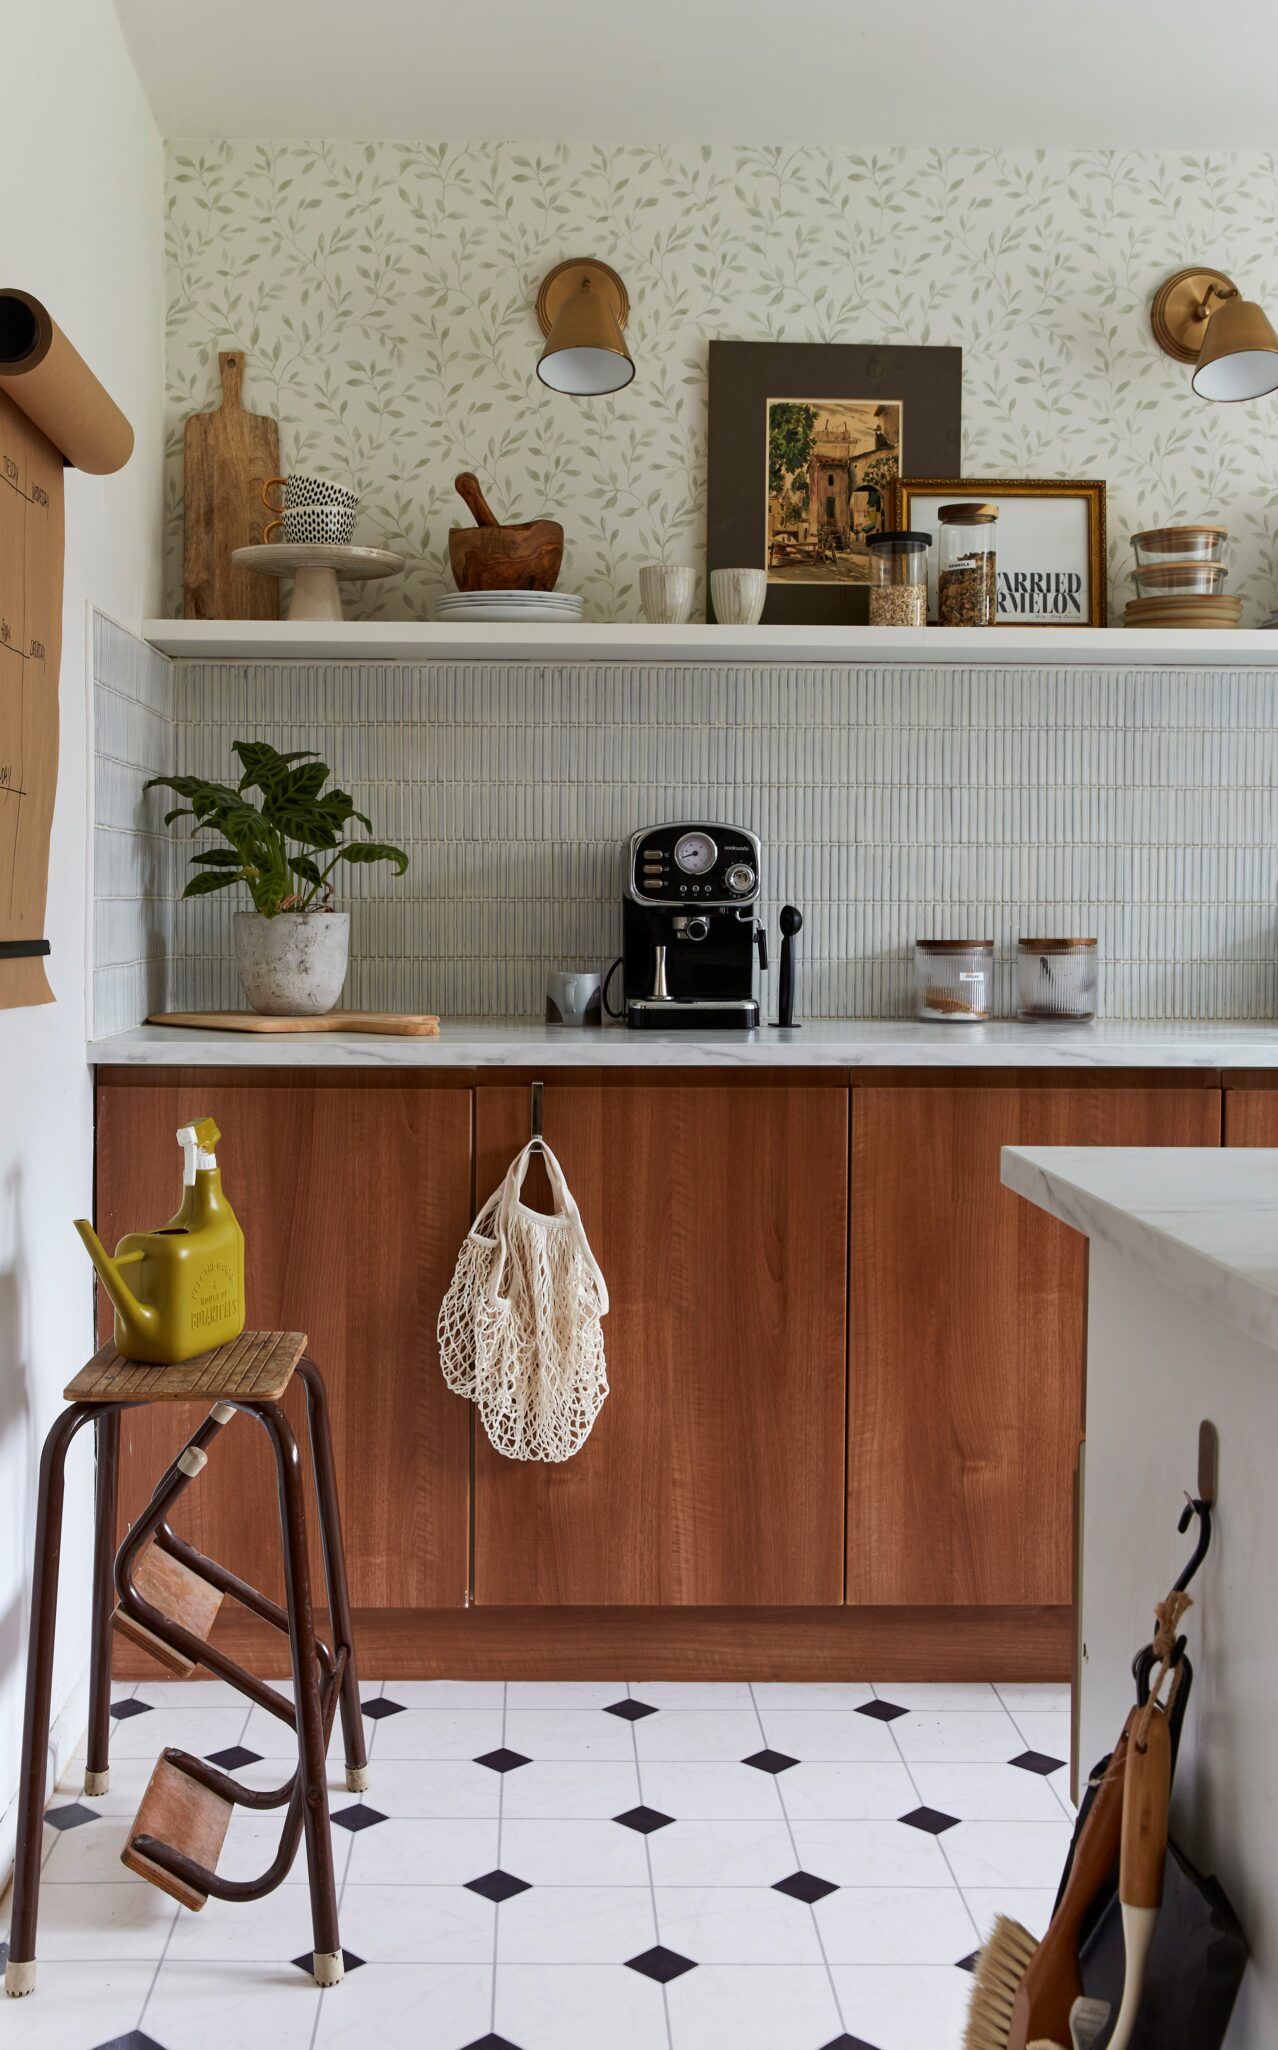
(807, 442)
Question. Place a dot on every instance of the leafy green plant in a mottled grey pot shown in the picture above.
(292, 946)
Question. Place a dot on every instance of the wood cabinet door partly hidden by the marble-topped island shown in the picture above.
(967, 1336)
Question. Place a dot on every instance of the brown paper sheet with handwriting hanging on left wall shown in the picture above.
(30, 659)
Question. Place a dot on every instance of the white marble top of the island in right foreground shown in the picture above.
(1203, 1219)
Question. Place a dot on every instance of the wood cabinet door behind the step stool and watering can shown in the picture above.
(354, 1204)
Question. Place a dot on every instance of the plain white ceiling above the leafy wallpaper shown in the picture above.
(1140, 75)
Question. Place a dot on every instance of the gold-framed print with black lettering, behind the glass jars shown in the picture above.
(1039, 593)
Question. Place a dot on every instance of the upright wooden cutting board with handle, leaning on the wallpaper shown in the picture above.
(231, 454)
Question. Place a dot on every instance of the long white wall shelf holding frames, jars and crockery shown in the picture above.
(315, 641)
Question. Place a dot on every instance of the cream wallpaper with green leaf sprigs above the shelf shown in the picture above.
(385, 298)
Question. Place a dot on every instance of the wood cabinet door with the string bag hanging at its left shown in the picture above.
(715, 1473)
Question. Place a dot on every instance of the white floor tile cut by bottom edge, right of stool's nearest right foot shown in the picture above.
(407, 2008)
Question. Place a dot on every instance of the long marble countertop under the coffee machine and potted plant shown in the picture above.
(820, 1044)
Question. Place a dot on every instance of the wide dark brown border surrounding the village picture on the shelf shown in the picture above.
(744, 376)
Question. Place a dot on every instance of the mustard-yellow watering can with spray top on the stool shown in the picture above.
(186, 1290)
